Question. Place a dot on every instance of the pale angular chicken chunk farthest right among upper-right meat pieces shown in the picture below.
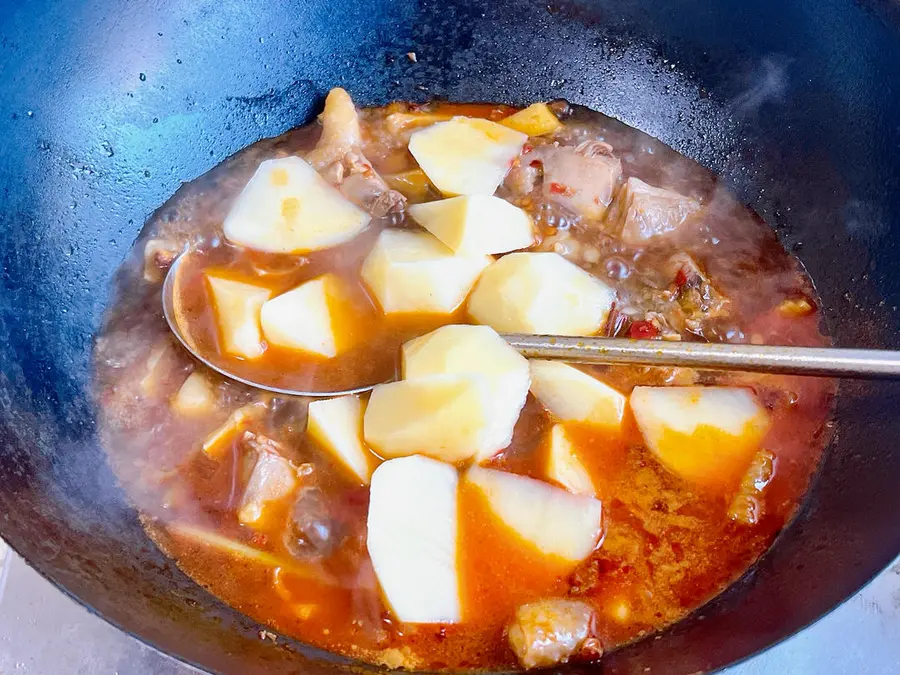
(642, 212)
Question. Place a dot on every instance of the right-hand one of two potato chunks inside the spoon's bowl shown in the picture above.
(304, 317)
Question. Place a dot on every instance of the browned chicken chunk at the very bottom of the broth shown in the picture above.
(554, 631)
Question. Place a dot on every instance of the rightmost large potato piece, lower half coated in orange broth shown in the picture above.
(707, 435)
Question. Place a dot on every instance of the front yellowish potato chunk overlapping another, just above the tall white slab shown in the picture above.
(447, 417)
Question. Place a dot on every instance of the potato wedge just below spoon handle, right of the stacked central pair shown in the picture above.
(574, 396)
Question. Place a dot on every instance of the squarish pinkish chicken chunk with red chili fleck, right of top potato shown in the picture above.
(581, 178)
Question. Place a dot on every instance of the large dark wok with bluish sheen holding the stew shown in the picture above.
(106, 107)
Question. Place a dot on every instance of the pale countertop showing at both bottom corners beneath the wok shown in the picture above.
(43, 632)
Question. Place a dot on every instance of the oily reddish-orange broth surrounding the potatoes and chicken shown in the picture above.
(667, 549)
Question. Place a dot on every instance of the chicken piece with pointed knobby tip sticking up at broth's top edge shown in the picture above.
(338, 156)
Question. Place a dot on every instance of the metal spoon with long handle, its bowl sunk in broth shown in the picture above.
(820, 361)
